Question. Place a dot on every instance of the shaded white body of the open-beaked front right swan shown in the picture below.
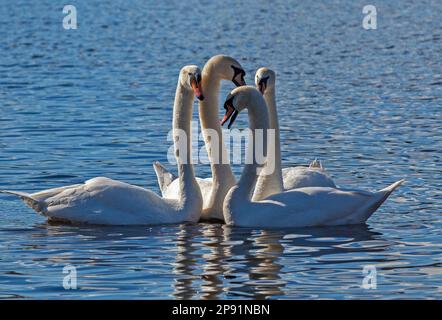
(307, 207)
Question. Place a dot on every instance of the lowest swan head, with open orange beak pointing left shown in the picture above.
(239, 99)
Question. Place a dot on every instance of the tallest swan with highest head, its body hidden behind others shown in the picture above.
(217, 68)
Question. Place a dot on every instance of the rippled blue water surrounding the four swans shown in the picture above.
(97, 101)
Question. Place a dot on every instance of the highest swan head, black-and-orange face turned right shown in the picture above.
(227, 68)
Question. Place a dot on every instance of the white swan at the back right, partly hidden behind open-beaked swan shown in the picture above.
(287, 178)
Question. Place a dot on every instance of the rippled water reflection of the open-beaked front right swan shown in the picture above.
(263, 250)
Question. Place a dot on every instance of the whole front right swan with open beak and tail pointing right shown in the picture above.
(303, 207)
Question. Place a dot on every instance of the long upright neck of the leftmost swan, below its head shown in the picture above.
(182, 116)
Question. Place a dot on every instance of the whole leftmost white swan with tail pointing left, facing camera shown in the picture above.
(108, 202)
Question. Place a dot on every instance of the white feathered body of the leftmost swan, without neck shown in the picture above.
(103, 201)
